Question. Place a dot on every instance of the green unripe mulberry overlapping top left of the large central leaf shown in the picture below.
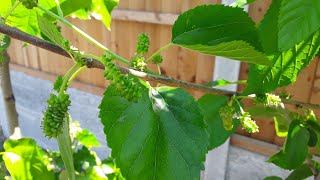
(125, 85)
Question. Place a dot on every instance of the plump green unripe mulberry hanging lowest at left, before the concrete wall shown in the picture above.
(54, 115)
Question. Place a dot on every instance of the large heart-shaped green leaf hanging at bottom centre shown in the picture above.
(162, 136)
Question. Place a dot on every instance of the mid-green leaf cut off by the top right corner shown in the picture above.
(298, 20)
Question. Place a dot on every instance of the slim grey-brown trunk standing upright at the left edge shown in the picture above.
(9, 100)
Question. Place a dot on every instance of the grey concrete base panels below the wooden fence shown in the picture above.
(31, 94)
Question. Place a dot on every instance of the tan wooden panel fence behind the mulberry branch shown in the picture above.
(154, 18)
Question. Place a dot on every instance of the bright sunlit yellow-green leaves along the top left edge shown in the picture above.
(26, 19)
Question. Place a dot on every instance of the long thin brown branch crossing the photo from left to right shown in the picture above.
(92, 63)
